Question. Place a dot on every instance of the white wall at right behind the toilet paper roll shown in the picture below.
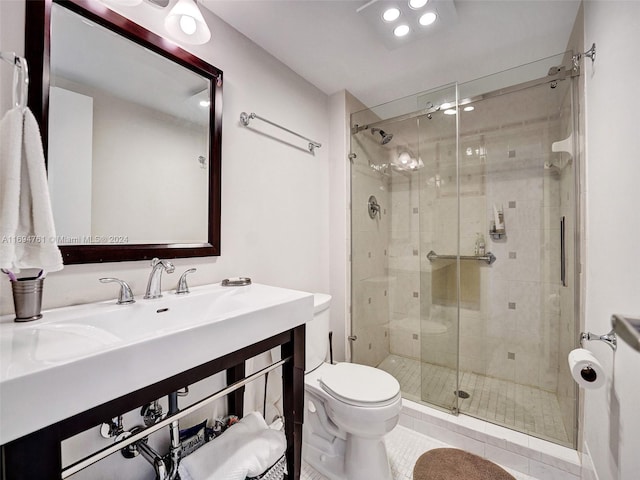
(611, 416)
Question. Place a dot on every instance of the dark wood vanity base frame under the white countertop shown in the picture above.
(38, 454)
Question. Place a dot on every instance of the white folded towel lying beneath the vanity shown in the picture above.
(246, 449)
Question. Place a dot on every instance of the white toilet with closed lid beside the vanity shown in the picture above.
(348, 409)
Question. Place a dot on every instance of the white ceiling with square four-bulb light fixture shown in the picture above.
(334, 47)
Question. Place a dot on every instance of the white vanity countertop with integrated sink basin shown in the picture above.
(76, 358)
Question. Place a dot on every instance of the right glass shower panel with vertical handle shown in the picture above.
(513, 340)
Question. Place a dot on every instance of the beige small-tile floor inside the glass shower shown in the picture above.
(527, 409)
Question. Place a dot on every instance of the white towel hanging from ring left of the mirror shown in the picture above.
(27, 232)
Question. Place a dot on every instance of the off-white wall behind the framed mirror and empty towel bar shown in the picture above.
(275, 197)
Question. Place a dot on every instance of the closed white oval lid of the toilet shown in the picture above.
(359, 384)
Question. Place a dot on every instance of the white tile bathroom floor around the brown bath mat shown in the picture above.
(404, 446)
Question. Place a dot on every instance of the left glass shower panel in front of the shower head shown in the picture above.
(404, 204)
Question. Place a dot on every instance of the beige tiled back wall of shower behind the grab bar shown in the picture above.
(509, 327)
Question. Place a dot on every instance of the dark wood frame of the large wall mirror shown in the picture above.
(37, 53)
